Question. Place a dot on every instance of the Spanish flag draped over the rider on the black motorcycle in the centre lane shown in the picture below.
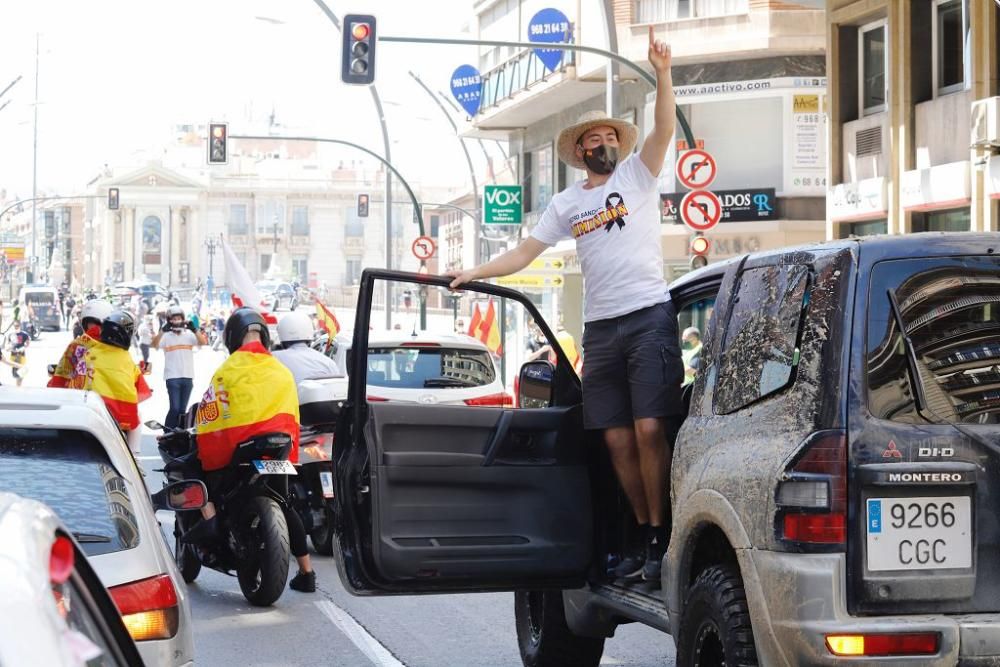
(252, 393)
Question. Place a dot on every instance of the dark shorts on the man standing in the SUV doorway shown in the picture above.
(632, 368)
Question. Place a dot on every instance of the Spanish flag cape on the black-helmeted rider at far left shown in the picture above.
(110, 371)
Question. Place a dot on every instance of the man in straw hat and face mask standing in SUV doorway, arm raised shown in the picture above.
(631, 387)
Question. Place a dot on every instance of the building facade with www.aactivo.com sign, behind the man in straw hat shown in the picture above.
(749, 75)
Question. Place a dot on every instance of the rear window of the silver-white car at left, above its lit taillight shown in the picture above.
(69, 471)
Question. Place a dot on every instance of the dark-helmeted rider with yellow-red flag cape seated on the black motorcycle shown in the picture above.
(250, 394)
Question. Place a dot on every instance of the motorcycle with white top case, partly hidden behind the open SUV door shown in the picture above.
(310, 492)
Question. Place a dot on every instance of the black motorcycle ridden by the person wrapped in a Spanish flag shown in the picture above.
(249, 496)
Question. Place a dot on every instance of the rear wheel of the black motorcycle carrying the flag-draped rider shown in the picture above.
(264, 571)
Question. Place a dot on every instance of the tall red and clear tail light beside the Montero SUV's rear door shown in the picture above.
(812, 493)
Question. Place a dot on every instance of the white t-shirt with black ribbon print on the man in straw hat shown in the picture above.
(617, 232)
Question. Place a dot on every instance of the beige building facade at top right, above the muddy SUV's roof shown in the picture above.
(910, 85)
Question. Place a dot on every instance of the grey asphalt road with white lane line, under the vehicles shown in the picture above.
(331, 627)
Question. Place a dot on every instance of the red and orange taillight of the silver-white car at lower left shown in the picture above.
(148, 607)
